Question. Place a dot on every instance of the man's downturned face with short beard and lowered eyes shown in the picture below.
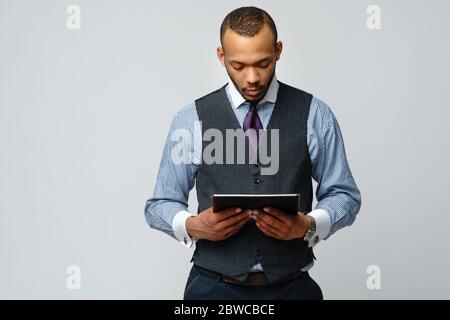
(250, 61)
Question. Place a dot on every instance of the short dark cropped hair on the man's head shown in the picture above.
(248, 21)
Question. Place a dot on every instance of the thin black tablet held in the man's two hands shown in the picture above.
(287, 202)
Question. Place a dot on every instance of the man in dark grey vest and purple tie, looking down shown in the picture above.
(254, 253)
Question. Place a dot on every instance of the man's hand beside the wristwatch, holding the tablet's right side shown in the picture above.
(275, 223)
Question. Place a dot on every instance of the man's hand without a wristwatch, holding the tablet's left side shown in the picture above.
(217, 225)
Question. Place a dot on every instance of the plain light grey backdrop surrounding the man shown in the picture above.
(84, 115)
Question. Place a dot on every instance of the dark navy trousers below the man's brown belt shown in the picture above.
(204, 284)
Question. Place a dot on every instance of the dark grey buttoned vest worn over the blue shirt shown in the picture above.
(236, 255)
